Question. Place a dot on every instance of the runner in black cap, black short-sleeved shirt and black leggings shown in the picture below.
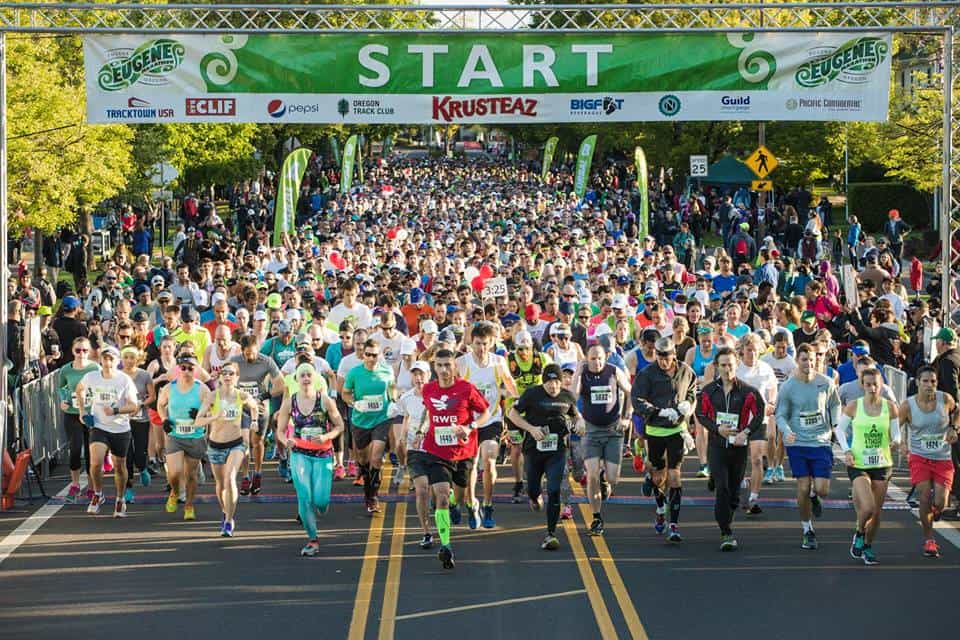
(545, 412)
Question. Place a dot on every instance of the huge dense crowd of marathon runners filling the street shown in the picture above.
(362, 349)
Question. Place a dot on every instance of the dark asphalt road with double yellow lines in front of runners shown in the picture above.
(155, 576)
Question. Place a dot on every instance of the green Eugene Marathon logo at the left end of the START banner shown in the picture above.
(148, 63)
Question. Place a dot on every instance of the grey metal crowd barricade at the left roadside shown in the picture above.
(41, 421)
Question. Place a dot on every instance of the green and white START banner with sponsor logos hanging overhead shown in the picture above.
(526, 77)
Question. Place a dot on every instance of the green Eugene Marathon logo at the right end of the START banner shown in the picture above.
(850, 63)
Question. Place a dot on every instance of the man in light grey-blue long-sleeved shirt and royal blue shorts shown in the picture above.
(808, 407)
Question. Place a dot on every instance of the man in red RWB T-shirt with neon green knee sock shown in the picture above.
(454, 409)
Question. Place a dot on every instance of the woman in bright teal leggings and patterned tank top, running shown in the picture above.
(308, 422)
